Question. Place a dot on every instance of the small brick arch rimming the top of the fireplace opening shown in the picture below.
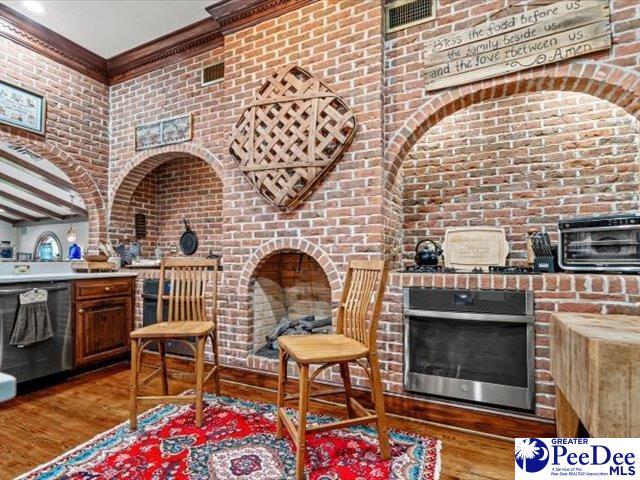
(300, 244)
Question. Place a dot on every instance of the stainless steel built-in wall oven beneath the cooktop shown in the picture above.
(475, 345)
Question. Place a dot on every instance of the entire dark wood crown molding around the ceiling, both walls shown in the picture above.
(227, 16)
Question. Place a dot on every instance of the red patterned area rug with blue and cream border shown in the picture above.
(237, 441)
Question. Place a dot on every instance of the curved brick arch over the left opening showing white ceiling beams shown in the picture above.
(81, 179)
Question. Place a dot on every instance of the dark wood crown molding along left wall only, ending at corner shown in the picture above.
(27, 33)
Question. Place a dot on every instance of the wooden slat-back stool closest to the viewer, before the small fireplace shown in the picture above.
(355, 342)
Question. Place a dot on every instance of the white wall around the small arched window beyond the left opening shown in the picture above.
(24, 238)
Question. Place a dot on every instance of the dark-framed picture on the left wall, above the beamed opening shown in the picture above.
(22, 109)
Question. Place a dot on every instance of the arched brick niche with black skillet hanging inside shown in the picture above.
(167, 187)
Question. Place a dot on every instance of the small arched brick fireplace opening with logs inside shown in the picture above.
(291, 295)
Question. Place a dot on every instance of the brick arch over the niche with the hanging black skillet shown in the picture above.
(144, 162)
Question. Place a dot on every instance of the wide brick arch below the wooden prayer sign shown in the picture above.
(607, 82)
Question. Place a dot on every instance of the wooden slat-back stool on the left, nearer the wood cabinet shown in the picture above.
(187, 319)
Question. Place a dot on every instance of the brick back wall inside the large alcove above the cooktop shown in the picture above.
(521, 162)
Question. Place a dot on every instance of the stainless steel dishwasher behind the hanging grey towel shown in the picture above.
(41, 359)
